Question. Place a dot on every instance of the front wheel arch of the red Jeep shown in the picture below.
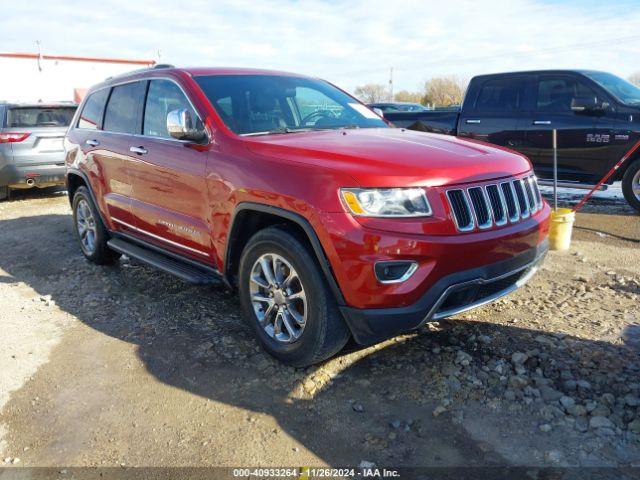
(249, 217)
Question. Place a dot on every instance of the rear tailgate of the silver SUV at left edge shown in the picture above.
(43, 128)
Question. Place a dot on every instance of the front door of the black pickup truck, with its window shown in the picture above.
(583, 139)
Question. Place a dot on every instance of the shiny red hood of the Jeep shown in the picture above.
(386, 157)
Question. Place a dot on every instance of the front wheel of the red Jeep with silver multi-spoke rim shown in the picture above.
(285, 298)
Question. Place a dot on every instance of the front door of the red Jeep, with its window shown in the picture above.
(170, 202)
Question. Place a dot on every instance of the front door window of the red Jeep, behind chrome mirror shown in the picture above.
(163, 96)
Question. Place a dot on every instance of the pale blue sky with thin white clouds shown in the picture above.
(346, 42)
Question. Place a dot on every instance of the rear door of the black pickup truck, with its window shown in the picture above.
(493, 111)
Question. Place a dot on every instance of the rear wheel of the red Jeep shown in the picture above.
(92, 234)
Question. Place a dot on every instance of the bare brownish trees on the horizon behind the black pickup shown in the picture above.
(435, 92)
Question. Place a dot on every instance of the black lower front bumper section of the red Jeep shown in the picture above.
(449, 296)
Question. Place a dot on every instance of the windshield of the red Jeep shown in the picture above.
(276, 104)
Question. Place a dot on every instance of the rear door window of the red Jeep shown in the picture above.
(123, 107)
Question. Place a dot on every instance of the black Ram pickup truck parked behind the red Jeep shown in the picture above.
(597, 116)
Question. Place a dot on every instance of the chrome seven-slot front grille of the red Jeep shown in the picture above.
(482, 207)
